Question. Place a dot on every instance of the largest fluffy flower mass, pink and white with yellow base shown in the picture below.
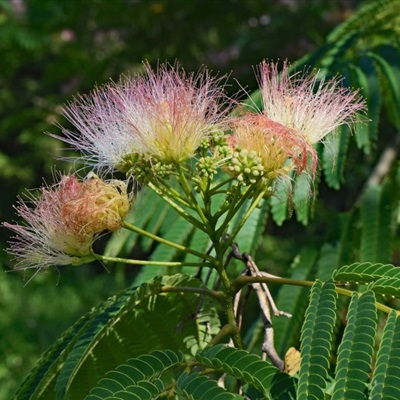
(163, 115)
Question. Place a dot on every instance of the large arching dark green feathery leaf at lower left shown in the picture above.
(134, 323)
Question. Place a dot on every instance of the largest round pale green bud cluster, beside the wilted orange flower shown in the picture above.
(246, 166)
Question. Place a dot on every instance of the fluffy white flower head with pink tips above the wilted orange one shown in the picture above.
(302, 103)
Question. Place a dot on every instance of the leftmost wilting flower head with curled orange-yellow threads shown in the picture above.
(64, 221)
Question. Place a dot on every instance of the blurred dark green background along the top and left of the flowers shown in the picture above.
(52, 49)
